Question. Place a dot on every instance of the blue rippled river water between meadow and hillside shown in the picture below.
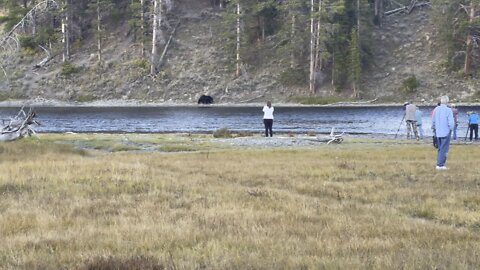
(352, 120)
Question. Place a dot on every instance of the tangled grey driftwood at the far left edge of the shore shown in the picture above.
(19, 126)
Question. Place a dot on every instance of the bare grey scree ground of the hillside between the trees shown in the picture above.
(196, 64)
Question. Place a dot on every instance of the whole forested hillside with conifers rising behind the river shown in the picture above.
(239, 50)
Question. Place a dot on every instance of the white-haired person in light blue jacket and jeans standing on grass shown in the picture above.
(442, 124)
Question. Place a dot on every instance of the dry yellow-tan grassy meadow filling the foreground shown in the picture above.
(164, 201)
